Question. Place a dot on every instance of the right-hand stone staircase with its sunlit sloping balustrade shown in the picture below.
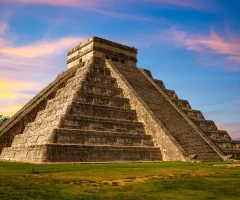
(174, 133)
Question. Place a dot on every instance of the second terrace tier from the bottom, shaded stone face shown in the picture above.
(75, 136)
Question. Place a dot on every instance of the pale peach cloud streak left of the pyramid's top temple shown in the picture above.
(29, 57)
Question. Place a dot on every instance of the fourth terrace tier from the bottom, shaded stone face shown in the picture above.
(103, 112)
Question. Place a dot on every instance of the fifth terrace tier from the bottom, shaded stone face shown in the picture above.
(98, 99)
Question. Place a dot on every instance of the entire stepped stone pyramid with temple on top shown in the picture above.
(104, 108)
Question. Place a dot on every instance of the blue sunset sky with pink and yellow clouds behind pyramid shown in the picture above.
(192, 45)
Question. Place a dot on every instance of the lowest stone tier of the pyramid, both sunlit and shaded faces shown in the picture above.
(81, 153)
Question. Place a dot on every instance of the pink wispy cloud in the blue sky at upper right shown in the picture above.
(212, 44)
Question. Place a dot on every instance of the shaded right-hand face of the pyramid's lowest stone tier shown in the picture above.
(87, 153)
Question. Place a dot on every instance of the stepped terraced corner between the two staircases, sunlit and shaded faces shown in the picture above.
(97, 126)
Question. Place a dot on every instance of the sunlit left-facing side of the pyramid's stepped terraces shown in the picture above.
(38, 133)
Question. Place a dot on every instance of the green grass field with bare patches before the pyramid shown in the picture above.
(166, 180)
